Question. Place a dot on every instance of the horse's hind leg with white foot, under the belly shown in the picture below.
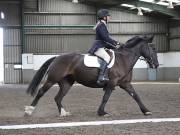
(64, 85)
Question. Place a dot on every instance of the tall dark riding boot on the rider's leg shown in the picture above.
(103, 74)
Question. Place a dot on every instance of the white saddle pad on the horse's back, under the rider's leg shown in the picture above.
(92, 61)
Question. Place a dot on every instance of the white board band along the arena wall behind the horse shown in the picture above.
(170, 59)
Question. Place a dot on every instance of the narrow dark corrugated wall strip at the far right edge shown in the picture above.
(175, 35)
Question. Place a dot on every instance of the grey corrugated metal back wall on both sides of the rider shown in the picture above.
(54, 14)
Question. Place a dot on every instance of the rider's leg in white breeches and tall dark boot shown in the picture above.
(103, 74)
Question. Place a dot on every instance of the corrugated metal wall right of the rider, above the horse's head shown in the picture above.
(127, 25)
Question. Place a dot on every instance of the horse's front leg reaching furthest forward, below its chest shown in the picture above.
(130, 90)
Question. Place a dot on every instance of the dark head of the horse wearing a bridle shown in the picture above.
(148, 51)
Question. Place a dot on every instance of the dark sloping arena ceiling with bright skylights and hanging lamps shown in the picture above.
(167, 8)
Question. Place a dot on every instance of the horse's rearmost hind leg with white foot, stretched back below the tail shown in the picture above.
(29, 109)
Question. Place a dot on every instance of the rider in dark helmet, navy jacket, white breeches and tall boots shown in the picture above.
(103, 40)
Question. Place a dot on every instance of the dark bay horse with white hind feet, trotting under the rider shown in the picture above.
(66, 69)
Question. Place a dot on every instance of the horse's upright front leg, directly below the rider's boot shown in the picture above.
(106, 96)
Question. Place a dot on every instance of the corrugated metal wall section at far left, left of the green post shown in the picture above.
(12, 41)
